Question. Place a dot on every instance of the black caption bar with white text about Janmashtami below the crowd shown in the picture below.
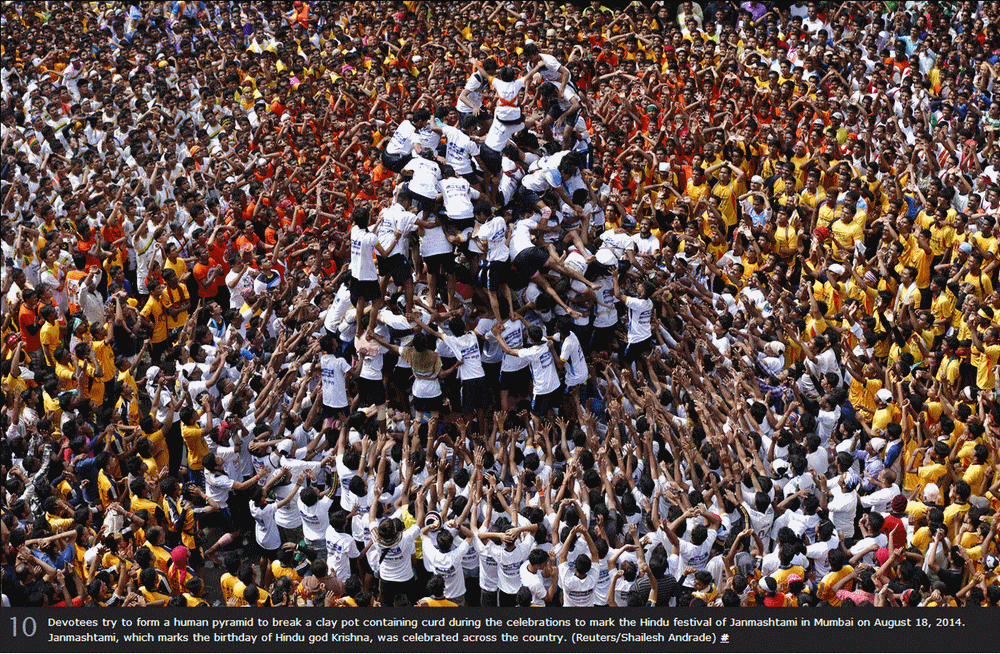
(544, 630)
